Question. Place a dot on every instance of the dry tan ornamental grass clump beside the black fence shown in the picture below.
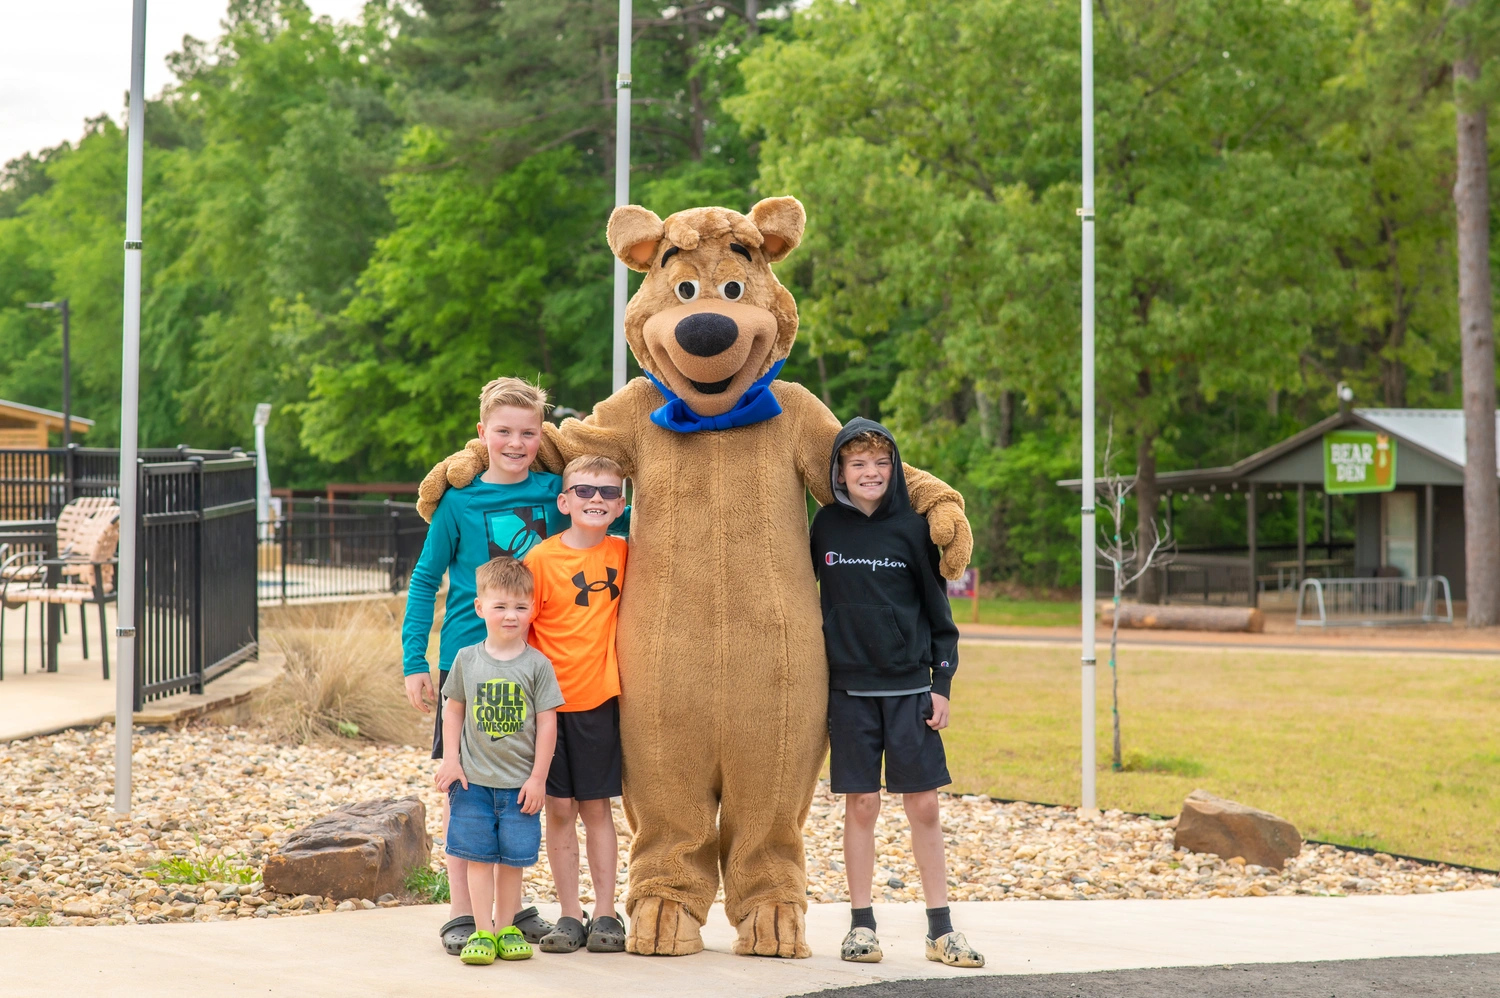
(341, 681)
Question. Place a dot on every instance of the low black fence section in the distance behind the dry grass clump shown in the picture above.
(319, 549)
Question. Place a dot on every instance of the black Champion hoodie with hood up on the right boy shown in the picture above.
(887, 624)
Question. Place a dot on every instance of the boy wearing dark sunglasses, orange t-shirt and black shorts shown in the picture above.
(580, 576)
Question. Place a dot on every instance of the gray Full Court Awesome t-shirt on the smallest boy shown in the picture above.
(502, 702)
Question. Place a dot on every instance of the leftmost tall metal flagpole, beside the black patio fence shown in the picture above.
(130, 418)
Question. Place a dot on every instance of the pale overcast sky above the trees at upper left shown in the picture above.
(67, 61)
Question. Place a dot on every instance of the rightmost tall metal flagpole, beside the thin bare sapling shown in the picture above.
(1087, 214)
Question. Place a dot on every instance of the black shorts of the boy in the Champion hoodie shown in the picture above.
(865, 729)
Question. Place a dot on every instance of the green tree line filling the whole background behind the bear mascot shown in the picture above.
(362, 223)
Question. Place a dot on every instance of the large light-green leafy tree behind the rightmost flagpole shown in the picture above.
(938, 143)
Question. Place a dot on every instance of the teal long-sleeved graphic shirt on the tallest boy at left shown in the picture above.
(470, 528)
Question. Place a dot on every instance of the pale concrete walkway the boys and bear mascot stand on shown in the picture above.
(395, 952)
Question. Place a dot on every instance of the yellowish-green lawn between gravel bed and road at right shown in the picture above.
(1390, 753)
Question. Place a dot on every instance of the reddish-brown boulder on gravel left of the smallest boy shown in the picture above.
(361, 850)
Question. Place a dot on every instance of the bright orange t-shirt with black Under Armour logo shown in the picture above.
(578, 603)
